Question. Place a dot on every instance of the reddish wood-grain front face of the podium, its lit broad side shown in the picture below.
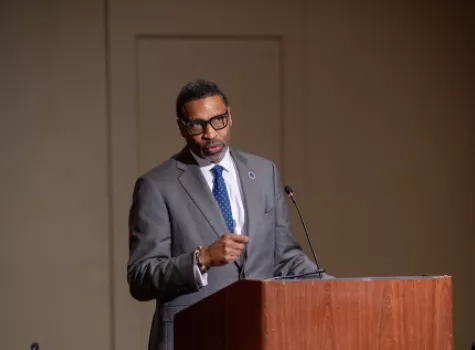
(377, 314)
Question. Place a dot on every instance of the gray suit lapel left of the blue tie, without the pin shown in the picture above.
(195, 185)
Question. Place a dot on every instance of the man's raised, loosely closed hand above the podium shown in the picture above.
(224, 250)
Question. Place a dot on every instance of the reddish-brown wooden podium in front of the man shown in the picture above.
(344, 314)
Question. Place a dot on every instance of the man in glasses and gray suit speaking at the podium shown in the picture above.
(206, 217)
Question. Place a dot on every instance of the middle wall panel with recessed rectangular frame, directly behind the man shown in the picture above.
(252, 50)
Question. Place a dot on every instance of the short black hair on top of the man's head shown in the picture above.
(196, 90)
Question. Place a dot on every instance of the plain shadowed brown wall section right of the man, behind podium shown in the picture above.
(391, 117)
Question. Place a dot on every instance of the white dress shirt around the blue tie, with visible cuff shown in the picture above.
(233, 186)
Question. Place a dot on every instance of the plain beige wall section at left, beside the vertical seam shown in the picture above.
(54, 257)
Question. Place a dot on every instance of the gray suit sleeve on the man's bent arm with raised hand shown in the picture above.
(151, 271)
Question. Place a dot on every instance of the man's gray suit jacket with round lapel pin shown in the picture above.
(173, 212)
